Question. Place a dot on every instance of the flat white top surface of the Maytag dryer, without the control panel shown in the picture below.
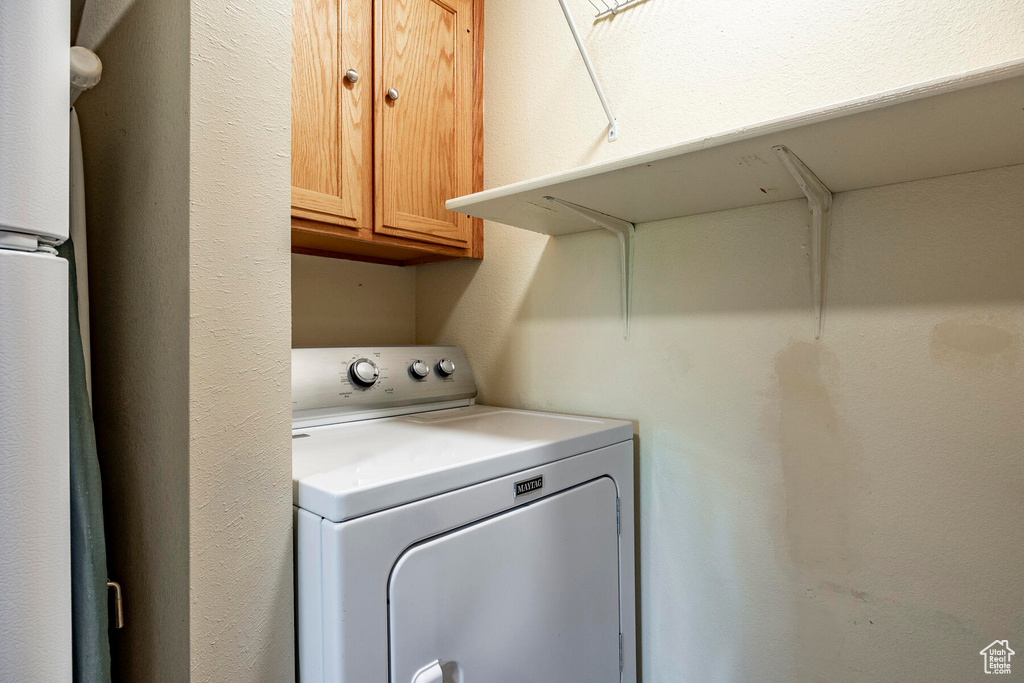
(351, 469)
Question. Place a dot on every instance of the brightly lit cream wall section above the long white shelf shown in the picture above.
(675, 71)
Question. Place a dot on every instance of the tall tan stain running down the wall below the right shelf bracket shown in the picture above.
(823, 481)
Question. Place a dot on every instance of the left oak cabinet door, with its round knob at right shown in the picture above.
(332, 117)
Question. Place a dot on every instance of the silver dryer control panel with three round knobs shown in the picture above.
(346, 383)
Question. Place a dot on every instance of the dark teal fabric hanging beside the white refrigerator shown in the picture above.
(91, 649)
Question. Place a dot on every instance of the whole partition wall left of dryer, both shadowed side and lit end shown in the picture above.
(187, 150)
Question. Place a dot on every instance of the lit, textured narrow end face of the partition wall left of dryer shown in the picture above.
(240, 351)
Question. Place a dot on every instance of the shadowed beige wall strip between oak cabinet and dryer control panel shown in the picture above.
(348, 304)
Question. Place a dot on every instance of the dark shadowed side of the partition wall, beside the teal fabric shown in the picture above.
(136, 144)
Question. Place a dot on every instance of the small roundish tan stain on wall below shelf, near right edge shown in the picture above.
(975, 347)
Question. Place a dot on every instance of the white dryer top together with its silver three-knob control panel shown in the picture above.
(364, 463)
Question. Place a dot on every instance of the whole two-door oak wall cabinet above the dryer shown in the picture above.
(387, 126)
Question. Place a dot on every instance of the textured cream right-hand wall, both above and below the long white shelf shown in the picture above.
(844, 510)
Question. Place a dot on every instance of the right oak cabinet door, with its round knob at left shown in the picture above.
(424, 137)
